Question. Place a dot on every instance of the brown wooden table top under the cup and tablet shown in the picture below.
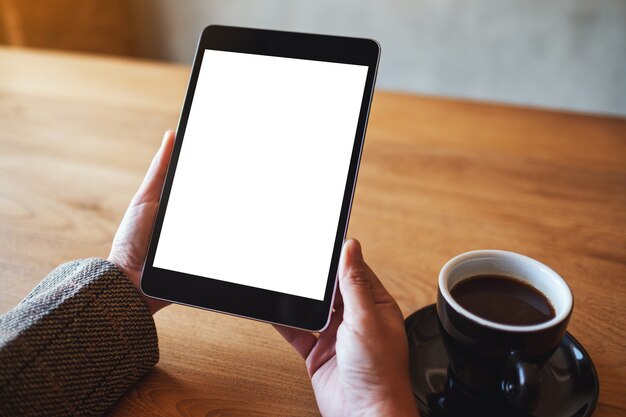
(438, 177)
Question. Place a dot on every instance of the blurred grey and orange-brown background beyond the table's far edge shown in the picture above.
(564, 54)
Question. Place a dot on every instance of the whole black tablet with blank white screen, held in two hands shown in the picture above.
(256, 201)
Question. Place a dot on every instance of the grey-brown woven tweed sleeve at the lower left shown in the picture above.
(75, 344)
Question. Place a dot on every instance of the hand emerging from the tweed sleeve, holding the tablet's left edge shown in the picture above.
(130, 244)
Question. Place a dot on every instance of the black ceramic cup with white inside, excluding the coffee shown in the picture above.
(494, 360)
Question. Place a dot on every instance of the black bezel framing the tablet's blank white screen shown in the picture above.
(242, 300)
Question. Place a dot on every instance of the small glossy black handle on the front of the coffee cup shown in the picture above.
(520, 383)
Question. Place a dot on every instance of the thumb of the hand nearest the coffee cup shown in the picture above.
(355, 282)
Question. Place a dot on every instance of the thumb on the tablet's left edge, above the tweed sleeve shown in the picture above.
(150, 189)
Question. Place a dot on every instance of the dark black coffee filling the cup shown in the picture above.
(503, 299)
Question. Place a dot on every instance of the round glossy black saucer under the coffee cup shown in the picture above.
(569, 382)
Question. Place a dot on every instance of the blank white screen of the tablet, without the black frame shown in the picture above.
(262, 171)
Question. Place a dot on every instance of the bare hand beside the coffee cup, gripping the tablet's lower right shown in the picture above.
(359, 366)
